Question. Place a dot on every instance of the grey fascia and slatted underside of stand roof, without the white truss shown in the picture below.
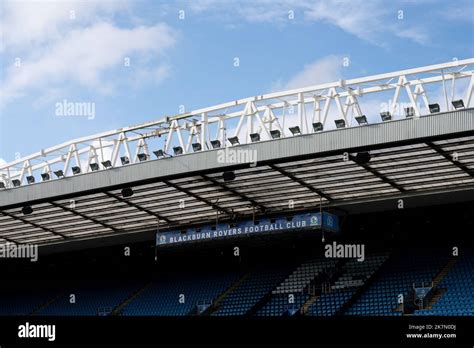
(408, 158)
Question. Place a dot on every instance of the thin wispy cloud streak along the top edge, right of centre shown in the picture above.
(370, 20)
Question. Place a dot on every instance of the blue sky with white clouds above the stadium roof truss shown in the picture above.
(76, 51)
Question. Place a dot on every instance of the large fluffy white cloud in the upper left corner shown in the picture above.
(81, 52)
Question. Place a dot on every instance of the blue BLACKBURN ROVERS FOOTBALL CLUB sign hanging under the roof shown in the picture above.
(298, 222)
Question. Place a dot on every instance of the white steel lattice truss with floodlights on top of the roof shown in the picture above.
(241, 118)
